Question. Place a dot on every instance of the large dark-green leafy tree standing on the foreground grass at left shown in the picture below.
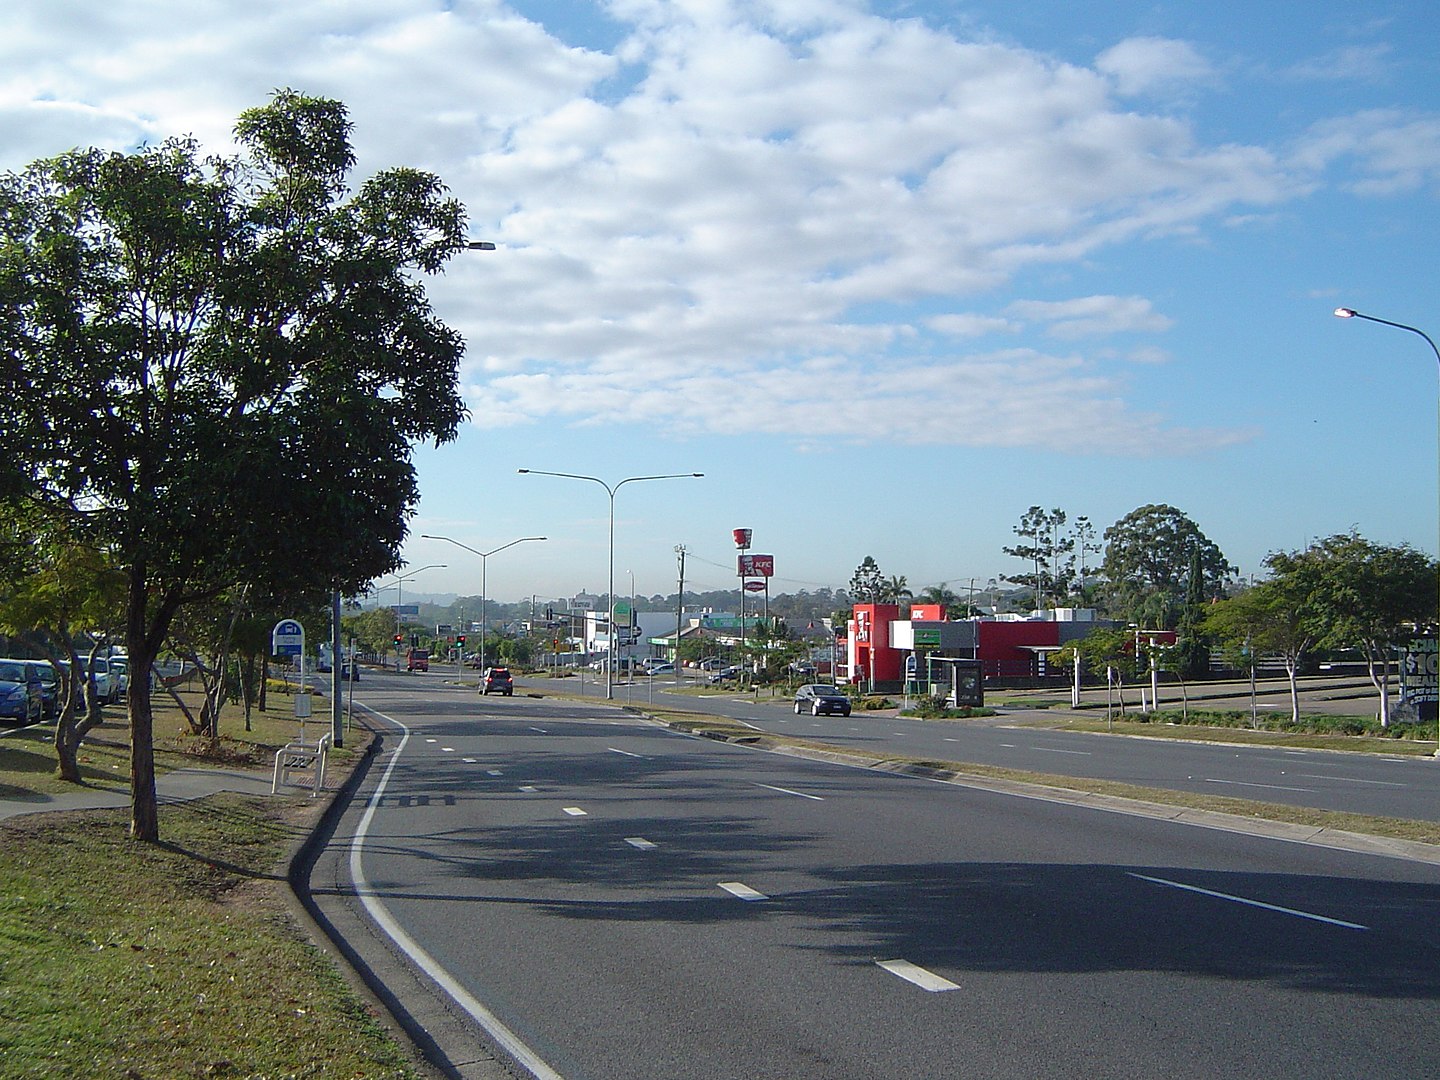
(215, 368)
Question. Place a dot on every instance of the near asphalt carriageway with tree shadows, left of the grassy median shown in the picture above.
(626, 902)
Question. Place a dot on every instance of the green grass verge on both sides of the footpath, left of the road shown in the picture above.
(174, 960)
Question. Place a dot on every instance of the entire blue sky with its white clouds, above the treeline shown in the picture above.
(888, 274)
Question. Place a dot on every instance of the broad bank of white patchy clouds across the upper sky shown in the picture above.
(742, 211)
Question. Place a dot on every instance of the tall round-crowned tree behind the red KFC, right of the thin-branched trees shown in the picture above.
(1148, 555)
